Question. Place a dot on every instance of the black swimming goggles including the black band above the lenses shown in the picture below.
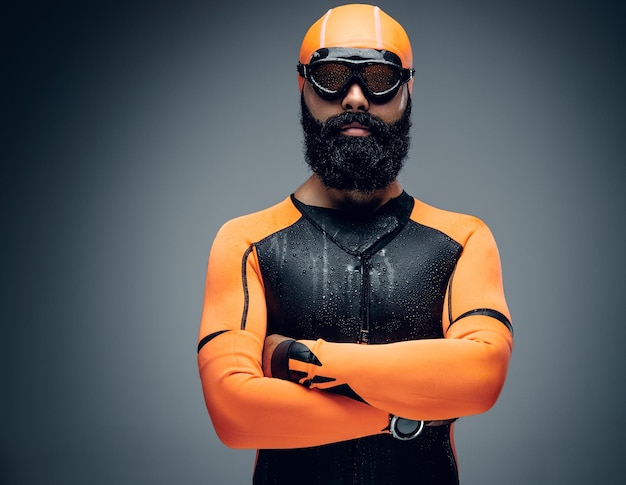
(332, 71)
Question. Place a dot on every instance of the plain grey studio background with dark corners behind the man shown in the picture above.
(131, 133)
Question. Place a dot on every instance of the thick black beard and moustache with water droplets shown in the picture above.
(361, 163)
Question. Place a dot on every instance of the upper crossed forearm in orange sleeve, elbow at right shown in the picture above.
(423, 379)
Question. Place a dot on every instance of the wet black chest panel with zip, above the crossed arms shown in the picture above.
(378, 280)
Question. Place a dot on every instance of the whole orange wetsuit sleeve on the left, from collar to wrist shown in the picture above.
(249, 410)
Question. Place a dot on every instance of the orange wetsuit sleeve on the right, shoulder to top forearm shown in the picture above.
(433, 379)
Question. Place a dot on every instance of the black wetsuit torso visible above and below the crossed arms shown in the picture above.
(377, 280)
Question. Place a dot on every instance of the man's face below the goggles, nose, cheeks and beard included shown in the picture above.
(352, 143)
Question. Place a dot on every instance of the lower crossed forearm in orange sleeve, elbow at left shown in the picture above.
(252, 411)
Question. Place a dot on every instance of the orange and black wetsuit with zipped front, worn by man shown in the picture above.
(421, 286)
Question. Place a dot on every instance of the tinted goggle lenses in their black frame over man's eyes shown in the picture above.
(379, 80)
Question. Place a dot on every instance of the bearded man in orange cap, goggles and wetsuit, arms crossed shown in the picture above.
(346, 328)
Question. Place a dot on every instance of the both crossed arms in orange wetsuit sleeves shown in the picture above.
(458, 375)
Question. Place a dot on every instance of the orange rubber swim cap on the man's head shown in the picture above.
(357, 25)
